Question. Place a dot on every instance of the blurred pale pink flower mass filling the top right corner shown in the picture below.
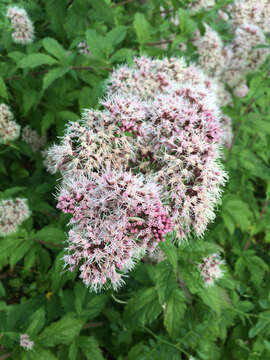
(230, 63)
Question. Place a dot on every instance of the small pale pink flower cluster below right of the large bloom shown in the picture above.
(210, 269)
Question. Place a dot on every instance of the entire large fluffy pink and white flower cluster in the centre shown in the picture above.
(155, 142)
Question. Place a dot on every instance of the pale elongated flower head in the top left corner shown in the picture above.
(23, 30)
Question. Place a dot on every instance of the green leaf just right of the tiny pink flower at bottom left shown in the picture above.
(61, 332)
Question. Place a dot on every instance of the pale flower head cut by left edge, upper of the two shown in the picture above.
(9, 129)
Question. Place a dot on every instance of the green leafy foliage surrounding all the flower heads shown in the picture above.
(162, 312)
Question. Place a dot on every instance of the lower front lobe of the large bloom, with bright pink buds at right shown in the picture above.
(116, 217)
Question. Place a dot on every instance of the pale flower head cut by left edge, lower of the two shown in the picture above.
(12, 214)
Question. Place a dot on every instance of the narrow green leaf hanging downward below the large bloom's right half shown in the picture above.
(174, 313)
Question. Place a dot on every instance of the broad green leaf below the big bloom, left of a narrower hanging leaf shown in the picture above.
(143, 308)
